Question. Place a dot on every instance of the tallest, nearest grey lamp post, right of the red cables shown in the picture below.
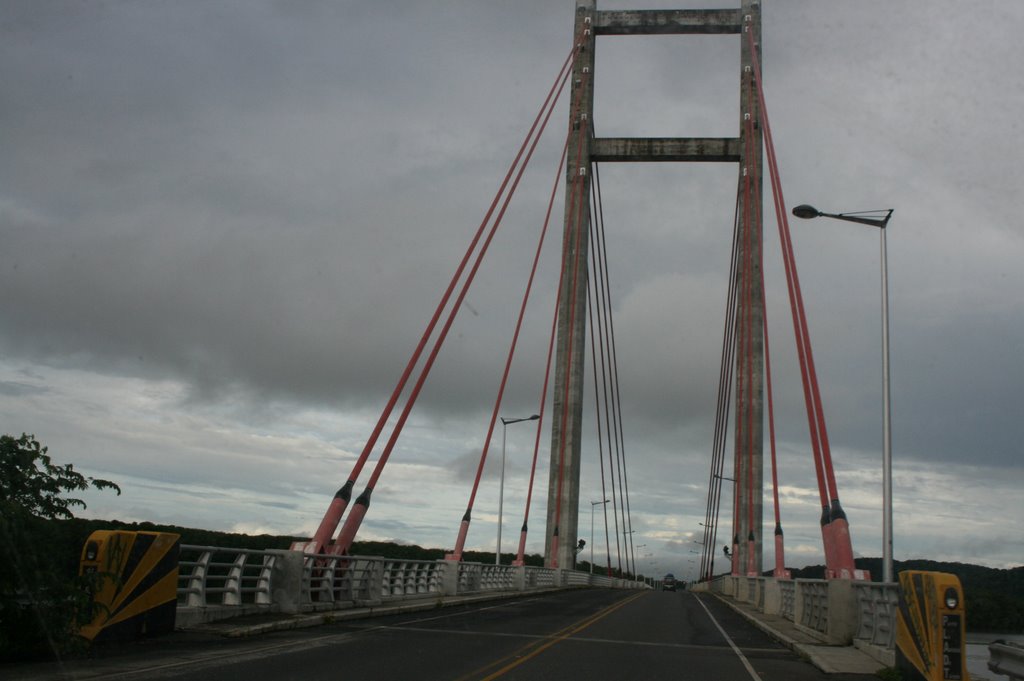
(876, 220)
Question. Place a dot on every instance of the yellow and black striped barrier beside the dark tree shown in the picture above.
(136, 585)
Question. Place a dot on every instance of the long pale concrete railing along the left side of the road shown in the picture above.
(217, 583)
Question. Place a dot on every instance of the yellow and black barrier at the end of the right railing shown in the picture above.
(931, 627)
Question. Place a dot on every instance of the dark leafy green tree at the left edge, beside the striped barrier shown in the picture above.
(41, 595)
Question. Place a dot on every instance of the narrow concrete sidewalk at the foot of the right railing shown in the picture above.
(829, 659)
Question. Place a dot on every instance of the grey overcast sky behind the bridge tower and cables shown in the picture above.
(224, 227)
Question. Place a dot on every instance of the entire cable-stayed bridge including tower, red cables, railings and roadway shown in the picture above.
(598, 633)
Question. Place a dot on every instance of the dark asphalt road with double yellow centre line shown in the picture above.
(590, 634)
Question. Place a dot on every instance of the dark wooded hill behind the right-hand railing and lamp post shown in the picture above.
(995, 598)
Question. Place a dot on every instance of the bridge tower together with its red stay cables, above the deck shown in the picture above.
(582, 347)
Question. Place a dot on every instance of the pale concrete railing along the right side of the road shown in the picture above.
(835, 612)
